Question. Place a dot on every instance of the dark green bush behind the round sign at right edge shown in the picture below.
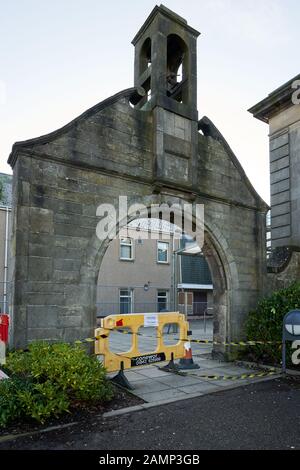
(265, 324)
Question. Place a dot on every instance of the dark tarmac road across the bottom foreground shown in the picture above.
(259, 416)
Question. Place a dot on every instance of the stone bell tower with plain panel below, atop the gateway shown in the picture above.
(166, 67)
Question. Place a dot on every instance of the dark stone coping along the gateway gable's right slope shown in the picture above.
(210, 130)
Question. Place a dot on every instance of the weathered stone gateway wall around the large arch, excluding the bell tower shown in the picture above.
(60, 180)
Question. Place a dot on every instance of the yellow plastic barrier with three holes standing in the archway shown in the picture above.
(133, 357)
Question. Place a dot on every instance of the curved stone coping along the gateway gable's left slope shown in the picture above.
(127, 93)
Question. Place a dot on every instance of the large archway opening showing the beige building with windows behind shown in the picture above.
(139, 274)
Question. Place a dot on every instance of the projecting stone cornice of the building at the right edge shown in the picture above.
(277, 101)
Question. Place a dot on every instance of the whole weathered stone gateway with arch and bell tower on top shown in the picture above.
(146, 143)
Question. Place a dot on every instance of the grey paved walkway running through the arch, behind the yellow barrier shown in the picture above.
(156, 386)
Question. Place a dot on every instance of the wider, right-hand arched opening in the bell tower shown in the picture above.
(177, 68)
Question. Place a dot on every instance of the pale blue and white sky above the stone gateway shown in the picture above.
(59, 58)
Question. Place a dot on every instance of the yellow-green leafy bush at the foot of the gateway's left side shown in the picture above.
(47, 379)
